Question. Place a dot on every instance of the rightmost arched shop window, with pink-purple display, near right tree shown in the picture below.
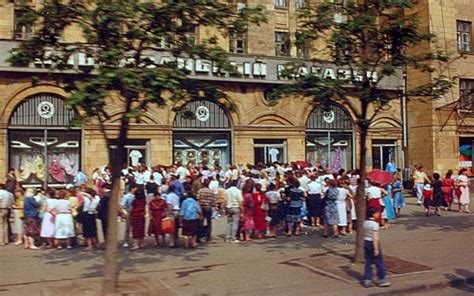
(330, 137)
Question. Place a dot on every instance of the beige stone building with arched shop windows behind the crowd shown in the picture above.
(36, 141)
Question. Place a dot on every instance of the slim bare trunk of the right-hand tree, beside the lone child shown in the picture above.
(360, 197)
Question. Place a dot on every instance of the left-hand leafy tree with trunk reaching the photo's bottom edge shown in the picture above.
(119, 39)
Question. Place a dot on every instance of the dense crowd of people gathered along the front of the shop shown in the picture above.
(177, 204)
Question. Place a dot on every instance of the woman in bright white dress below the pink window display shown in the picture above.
(64, 224)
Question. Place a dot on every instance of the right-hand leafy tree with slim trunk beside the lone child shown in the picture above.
(371, 40)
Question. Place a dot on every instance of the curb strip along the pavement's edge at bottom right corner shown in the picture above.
(455, 282)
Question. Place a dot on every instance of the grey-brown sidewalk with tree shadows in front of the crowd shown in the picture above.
(281, 266)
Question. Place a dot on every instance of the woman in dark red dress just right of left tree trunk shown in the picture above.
(137, 219)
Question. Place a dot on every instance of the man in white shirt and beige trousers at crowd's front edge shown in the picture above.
(233, 203)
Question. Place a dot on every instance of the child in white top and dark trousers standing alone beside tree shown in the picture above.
(372, 250)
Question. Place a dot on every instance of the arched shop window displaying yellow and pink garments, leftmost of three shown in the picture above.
(43, 149)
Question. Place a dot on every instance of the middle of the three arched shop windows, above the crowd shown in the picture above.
(203, 138)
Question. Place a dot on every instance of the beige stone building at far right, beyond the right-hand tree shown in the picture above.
(441, 131)
